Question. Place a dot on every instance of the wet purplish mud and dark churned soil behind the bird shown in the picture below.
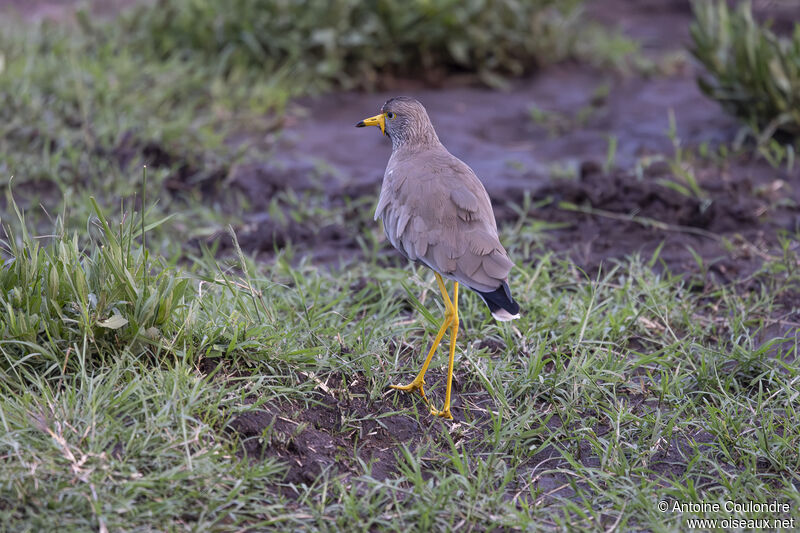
(558, 153)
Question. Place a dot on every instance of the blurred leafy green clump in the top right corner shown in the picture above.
(753, 73)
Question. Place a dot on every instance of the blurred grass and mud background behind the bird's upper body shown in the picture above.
(243, 114)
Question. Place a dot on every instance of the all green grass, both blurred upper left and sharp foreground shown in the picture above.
(163, 387)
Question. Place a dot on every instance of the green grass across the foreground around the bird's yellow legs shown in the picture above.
(607, 396)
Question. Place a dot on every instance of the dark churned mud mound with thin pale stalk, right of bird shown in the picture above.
(623, 215)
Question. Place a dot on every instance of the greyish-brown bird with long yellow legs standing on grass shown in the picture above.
(435, 211)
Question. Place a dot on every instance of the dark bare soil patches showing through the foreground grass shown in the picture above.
(318, 438)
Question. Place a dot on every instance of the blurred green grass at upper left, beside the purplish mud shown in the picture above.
(80, 115)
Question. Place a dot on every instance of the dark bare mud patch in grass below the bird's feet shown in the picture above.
(322, 436)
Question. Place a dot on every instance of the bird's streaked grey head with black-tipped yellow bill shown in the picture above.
(404, 120)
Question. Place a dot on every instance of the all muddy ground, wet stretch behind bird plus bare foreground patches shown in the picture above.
(558, 155)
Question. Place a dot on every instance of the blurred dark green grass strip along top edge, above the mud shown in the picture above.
(349, 43)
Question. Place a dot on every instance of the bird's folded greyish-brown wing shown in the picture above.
(435, 210)
